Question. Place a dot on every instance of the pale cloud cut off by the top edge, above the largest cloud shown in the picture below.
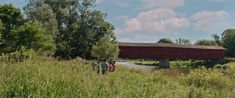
(164, 3)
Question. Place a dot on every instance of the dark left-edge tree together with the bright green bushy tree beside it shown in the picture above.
(17, 33)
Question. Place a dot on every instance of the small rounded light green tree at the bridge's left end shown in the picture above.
(105, 49)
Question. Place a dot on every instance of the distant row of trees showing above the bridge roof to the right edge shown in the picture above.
(226, 40)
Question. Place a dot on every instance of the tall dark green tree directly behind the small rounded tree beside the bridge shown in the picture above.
(91, 30)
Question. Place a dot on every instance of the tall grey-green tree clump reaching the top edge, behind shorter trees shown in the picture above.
(78, 26)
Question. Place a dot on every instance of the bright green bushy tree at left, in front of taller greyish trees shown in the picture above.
(31, 36)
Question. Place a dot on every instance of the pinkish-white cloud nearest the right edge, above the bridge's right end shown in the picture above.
(207, 20)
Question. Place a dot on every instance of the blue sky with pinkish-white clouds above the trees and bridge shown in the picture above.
(150, 20)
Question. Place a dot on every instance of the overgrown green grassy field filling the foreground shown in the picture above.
(43, 77)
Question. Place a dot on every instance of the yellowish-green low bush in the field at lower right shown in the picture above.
(208, 78)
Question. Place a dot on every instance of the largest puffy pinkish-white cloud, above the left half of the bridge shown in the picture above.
(156, 20)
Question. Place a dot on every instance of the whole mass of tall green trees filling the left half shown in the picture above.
(62, 28)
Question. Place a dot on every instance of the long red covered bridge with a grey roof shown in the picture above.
(166, 52)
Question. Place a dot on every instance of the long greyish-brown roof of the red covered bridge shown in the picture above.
(170, 45)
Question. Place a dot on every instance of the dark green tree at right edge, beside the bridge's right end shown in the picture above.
(228, 38)
